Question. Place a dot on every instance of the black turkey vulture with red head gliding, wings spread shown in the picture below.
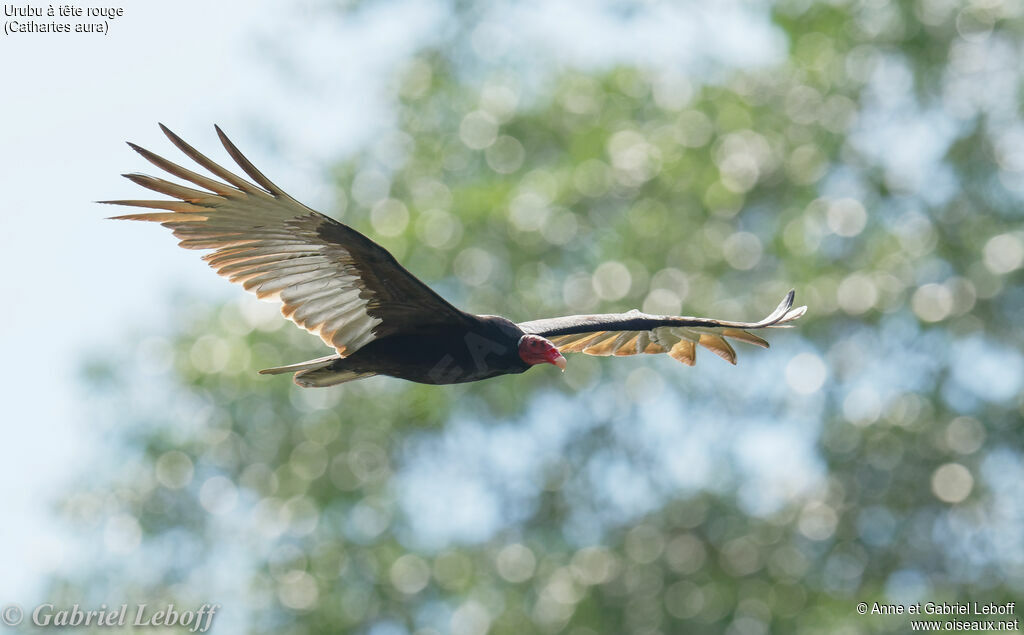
(380, 319)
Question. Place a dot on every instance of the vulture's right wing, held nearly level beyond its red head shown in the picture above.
(633, 333)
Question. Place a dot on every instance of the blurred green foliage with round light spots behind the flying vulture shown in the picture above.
(878, 171)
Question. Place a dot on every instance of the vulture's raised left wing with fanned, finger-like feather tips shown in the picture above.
(333, 281)
